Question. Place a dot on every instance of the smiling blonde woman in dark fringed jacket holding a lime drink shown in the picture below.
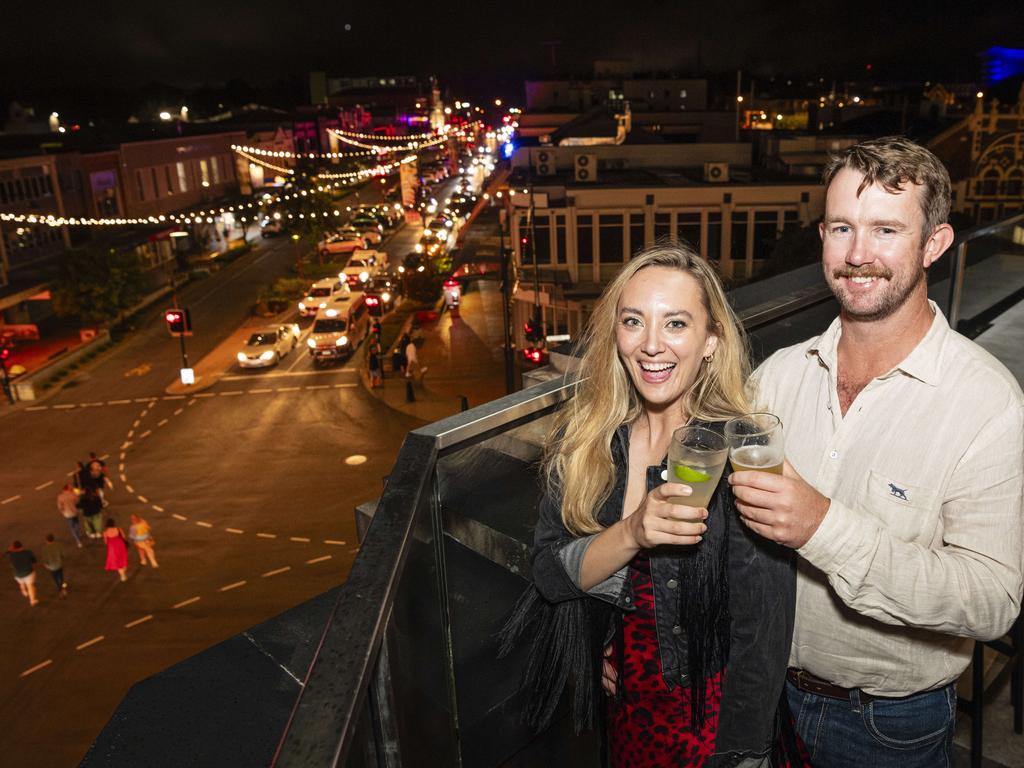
(681, 616)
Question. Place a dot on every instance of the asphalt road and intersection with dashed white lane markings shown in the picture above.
(250, 487)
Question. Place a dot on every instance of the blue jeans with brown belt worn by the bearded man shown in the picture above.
(916, 732)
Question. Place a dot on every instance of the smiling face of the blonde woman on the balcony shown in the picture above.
(662, 334)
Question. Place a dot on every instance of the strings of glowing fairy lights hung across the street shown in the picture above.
(257, 156)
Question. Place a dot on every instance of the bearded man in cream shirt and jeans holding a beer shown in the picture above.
(903, 487)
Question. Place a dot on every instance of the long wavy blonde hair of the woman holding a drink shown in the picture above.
(579, 465)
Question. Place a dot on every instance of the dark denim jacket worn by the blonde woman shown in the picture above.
(762, 591)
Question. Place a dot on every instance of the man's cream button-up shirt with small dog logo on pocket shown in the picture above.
(921, 549)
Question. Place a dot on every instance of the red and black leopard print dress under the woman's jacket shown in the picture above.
(651, 726)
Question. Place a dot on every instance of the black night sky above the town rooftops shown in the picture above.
(194, 42)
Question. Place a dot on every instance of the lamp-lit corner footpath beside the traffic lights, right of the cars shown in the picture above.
(462, 357)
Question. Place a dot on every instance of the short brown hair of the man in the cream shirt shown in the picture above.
(893, 162)
